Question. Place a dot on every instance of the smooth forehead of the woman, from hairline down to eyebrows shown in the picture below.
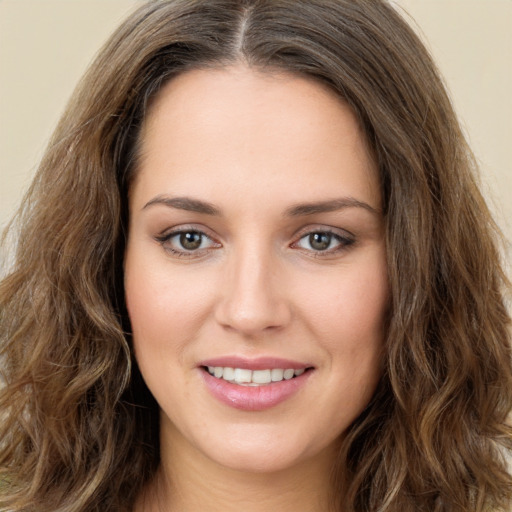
(253, 131)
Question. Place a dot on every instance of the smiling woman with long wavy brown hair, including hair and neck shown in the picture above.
(254, 271)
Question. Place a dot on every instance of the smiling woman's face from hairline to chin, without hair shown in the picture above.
(255, 252)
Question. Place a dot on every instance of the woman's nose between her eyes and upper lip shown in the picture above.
(254, 299)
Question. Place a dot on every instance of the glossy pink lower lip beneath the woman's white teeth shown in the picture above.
(254, 398)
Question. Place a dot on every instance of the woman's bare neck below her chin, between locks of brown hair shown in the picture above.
(187, 480)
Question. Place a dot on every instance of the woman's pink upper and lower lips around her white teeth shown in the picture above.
(253, 398)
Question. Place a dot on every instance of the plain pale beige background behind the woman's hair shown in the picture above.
(45, 45)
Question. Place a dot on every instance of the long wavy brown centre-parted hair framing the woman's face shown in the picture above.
(79, 430)
